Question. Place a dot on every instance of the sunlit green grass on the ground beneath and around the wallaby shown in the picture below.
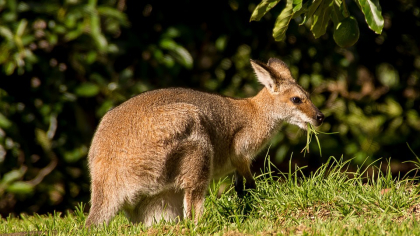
(331, 201)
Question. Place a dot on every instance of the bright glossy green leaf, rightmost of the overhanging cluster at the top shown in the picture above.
(373, 14)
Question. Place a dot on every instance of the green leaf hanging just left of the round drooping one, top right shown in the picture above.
(321, 18)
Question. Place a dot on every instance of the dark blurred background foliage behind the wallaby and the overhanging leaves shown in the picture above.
(64, 64)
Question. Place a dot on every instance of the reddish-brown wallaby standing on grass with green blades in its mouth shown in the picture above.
(154, 155)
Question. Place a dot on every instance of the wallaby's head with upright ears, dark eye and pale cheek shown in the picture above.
(289, 100)
